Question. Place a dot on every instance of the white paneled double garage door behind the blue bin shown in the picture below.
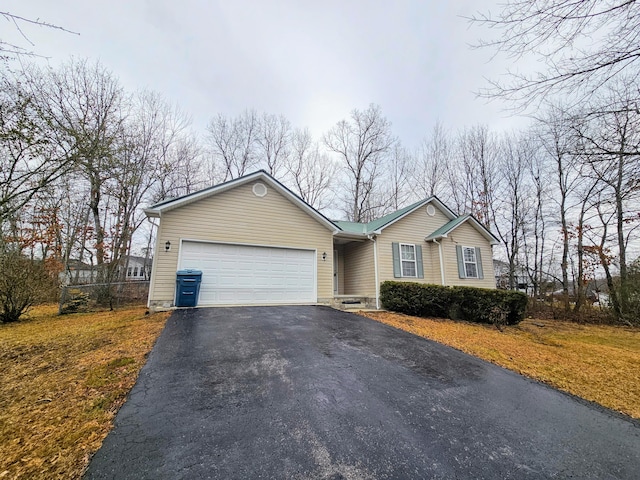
(241, 274)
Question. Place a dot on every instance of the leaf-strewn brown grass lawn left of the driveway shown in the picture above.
(62, 379)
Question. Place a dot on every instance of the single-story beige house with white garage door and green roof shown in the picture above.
(258, 243)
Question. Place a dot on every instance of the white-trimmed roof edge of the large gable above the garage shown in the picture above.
(171, 204)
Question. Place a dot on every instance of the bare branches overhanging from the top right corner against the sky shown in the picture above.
(582, 45)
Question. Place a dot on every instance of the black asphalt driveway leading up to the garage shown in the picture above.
(310, 392)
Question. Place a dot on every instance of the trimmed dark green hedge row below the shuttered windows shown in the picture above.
(500, 307)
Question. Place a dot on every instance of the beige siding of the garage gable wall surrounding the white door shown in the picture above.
(239, 216)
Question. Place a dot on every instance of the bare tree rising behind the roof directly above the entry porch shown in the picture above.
(362, 144)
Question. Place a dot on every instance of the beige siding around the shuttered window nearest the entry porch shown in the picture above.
(412, 229)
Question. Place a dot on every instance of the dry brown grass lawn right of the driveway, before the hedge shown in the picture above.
(596, 362)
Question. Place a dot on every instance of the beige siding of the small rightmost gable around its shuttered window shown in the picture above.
(467, 236)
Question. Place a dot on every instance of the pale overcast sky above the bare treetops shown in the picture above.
(312, 62)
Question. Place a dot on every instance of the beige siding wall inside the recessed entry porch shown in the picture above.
(359, 274)
